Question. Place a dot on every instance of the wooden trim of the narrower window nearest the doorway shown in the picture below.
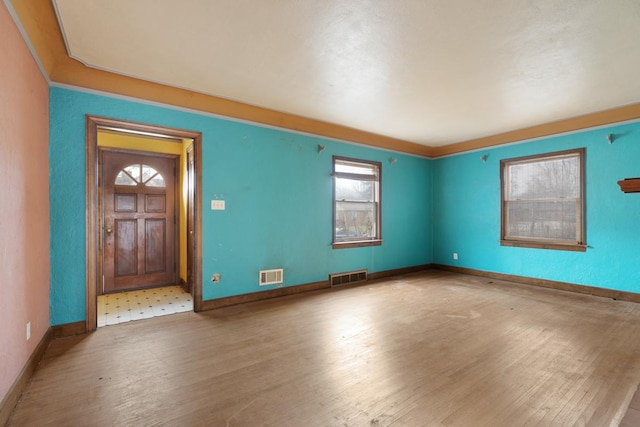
(344, 244)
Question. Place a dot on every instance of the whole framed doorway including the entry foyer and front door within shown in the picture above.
(143, 219)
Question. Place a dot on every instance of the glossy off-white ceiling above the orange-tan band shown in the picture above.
(432, 72)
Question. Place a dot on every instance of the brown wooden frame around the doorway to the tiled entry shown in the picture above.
(93, 250)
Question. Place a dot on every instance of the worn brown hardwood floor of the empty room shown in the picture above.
(427, 349)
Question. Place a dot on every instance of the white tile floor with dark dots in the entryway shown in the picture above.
(142, 304)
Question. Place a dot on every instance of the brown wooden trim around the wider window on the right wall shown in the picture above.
(580, 245)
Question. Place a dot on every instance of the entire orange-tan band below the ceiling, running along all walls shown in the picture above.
(43, 35)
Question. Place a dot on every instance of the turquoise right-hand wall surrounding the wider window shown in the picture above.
(467, 213)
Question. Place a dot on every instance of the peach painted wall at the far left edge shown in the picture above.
(24, 202)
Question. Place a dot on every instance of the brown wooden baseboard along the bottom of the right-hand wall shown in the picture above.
(562, 286)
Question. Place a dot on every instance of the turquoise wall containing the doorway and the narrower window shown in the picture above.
(277, 189)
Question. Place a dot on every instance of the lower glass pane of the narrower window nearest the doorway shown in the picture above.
(355, 220)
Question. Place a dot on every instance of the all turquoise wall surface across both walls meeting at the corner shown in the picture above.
(277, 189)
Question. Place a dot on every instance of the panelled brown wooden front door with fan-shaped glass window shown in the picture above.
(138, 200)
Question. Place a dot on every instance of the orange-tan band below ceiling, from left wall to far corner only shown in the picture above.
(39, 19)
